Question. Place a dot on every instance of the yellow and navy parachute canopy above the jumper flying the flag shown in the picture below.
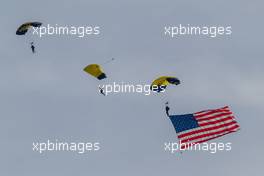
(159, 84)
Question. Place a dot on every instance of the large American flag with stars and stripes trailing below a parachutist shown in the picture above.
(204, 125)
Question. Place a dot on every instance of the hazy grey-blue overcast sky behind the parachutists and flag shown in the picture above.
(47, 95)
